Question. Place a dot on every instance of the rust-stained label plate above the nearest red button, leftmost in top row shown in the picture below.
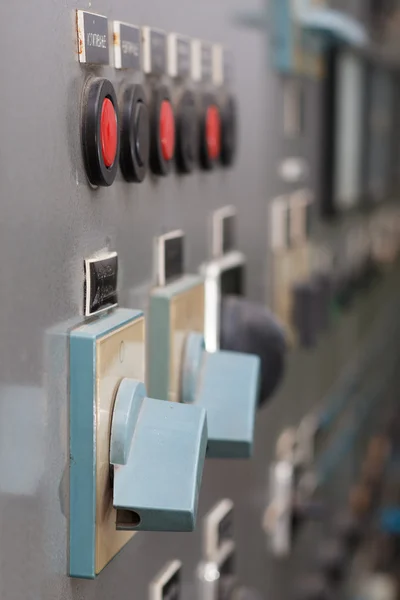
(93, 42)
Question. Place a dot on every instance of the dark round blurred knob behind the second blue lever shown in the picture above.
(252, 329)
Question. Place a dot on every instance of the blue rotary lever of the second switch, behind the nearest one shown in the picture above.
(226, 384)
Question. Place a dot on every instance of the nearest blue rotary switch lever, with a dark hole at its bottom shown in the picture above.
(157, 450)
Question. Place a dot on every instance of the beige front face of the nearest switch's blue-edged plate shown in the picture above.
(119, 354)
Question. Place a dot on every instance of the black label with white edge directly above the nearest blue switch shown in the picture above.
(101, 276)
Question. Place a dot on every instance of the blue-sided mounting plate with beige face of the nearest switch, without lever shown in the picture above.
(102, 353)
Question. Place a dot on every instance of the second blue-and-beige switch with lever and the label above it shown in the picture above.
(180, 369)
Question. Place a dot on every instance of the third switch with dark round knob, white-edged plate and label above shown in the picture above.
(231, 321)
